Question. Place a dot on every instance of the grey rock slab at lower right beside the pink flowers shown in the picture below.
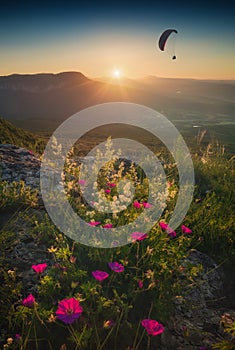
(196, 317)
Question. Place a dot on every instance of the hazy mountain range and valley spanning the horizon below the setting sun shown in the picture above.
(41, 102)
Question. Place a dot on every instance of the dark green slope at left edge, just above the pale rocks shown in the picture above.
(10, 134)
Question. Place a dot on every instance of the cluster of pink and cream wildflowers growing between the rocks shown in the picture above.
(101, 296)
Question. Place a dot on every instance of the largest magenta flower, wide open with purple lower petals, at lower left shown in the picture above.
(69, 310)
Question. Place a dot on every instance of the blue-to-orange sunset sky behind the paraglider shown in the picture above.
(99, 38)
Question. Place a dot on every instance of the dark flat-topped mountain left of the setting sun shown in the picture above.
(42, 101)
